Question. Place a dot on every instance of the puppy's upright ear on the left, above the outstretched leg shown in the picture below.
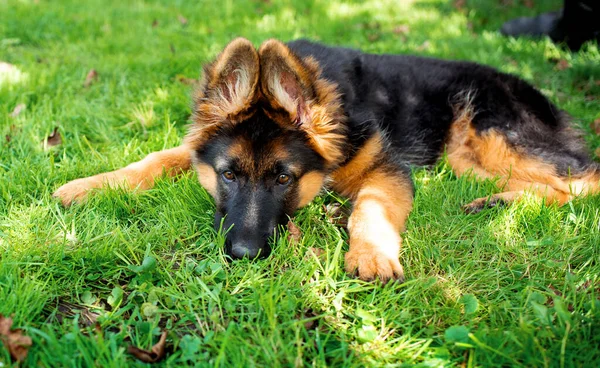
(229, 85)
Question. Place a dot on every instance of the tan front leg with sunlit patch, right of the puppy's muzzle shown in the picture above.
(382, 203)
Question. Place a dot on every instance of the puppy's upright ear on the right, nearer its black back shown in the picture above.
(287, 81)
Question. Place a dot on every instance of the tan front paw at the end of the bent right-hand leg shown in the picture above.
(370, 263)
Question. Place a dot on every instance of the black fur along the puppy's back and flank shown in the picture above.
(412, 99)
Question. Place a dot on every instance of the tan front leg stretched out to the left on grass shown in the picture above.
(138, 175)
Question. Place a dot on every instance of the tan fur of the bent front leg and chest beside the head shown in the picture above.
(382, 201)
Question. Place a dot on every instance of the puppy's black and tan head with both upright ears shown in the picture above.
(266, 132)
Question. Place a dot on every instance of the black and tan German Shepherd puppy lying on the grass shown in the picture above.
(272, 127)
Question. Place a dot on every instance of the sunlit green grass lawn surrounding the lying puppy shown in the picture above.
(506, 287)
